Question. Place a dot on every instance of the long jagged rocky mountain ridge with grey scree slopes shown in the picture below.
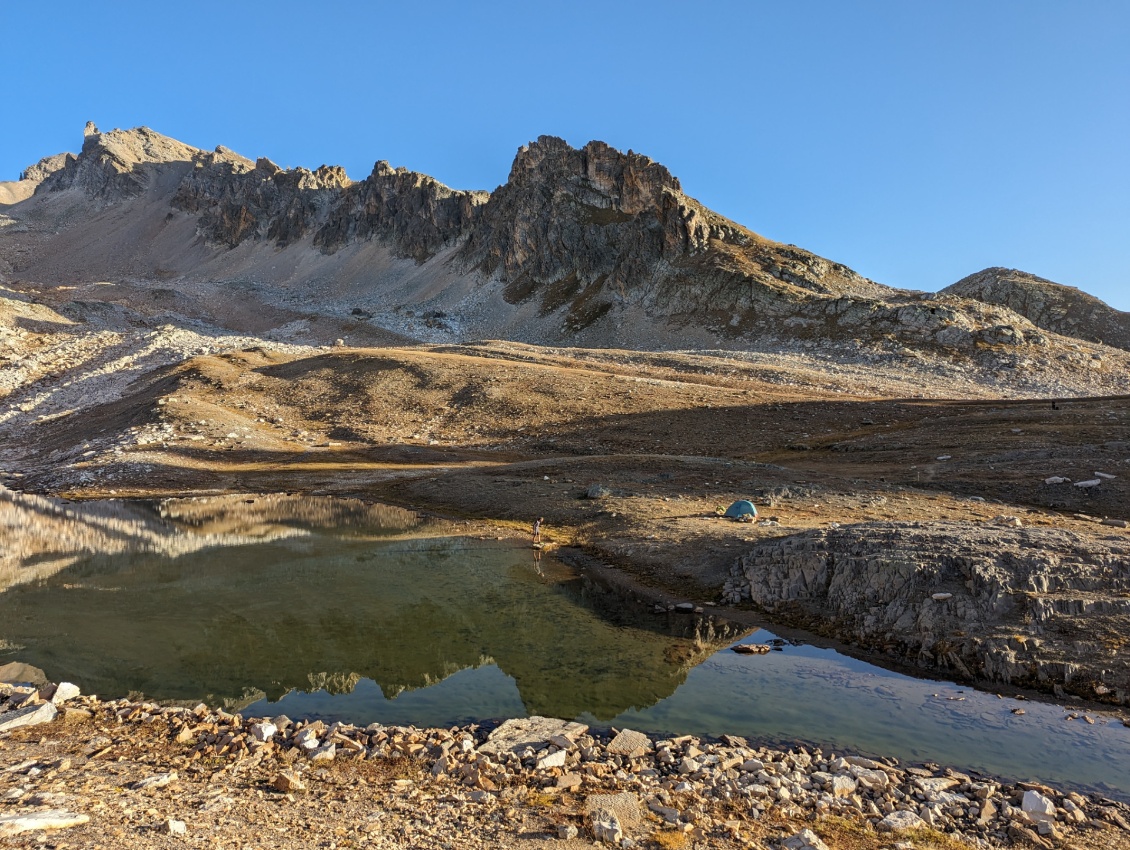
(589, 247)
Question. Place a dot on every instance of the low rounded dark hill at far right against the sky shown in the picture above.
(1049, 306)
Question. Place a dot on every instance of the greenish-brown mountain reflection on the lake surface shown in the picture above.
(279, 595)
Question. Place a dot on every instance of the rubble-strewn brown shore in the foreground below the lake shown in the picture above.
(79, 771)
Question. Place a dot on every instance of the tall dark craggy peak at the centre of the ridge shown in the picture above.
(586, 231)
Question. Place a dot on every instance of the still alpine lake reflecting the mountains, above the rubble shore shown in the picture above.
(338, 610)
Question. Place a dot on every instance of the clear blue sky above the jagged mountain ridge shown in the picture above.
(915, 142)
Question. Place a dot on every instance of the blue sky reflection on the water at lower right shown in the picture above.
(812, 695)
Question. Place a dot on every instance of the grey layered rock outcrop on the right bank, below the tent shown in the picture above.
(1041, 609)
